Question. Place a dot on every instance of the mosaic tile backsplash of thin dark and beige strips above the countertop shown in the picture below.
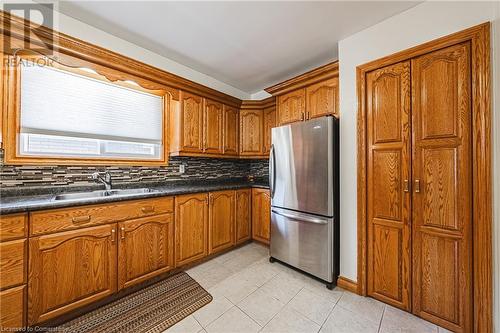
(195, 168)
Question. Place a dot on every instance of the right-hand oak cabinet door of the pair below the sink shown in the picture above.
(145, 248)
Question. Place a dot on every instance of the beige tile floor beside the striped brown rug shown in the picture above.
(252, 295)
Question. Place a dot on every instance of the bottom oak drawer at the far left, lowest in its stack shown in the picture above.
(12, 308)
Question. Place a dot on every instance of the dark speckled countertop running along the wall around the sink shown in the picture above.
(33, 201)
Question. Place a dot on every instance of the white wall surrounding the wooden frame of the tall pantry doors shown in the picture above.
(420, 24)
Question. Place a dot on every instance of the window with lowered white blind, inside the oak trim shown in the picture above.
(63, 113)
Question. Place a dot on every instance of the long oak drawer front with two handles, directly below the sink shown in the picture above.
(76, 217)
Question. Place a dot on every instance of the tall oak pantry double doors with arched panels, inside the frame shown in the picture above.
(419, 186)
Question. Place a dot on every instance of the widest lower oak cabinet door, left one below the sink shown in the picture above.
(70, 269)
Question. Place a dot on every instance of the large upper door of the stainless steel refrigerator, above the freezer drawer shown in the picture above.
(301, 166)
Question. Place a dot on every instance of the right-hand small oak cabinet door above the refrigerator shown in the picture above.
(323, 99)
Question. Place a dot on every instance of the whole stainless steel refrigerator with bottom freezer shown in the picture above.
(304, 187)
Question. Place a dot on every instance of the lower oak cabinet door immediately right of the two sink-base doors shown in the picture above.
(191, 227)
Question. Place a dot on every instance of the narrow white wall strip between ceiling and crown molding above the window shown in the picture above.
(75, 28)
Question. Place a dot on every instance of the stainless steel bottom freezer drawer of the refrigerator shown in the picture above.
(304, 241)
